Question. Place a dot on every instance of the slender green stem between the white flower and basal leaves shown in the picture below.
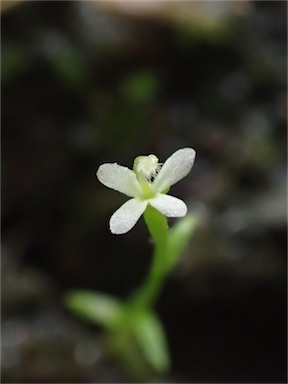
(147, 293)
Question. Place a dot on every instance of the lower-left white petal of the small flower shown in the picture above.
(127, 216)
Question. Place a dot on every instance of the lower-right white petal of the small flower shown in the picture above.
(170, 206)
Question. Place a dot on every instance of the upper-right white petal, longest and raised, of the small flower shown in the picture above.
(177, 166)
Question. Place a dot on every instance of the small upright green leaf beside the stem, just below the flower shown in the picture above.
(179, 237)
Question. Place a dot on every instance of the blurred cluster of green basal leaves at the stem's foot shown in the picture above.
(128, 325)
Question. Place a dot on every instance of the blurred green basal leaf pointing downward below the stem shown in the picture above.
(151, 339)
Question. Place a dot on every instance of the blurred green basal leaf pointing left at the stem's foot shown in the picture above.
(95, 307)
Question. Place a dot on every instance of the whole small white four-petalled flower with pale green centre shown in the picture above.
(146, 184)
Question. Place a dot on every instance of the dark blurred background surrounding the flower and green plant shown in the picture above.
(85, 83)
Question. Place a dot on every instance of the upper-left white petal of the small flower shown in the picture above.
(120, 178)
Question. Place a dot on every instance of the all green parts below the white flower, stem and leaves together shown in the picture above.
(134, 331)
